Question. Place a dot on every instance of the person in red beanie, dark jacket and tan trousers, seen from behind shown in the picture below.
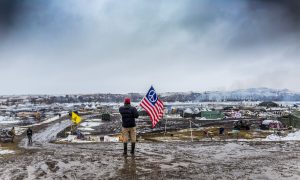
(128, 113)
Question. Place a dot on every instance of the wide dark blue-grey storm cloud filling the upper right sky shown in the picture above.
(246, 23)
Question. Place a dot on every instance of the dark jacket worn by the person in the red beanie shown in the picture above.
(128, 114)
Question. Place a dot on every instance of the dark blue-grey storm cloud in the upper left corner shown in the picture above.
(35, 18)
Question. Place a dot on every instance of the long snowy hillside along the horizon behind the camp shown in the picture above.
(252, 94)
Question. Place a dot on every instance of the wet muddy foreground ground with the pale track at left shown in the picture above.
(153, 160)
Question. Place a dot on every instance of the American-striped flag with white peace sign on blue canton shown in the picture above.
(153, 106)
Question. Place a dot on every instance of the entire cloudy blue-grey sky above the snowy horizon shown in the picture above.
(117, 46)
